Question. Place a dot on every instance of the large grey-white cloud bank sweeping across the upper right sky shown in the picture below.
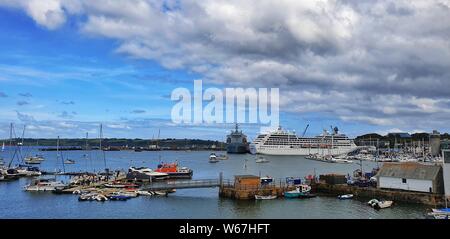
(381, 63)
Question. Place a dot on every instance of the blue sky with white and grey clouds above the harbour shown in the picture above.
(365, 66)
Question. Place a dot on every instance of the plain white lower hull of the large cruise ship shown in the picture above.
(301, 151)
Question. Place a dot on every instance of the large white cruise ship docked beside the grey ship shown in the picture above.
(281, 142)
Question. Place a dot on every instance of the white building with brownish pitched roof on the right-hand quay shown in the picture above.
(411, 177)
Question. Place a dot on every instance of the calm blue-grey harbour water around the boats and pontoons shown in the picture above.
(190, 203)
